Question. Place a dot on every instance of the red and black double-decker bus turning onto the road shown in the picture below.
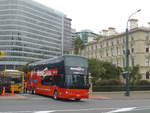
(62, 77)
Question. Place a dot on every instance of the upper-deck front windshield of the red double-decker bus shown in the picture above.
(76, 61)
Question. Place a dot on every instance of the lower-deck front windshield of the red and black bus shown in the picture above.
(77, 81)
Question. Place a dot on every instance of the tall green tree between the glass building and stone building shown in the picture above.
(78, 44)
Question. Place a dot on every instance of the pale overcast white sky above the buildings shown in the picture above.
(97, 15)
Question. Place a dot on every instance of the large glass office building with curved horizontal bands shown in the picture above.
(29, 32)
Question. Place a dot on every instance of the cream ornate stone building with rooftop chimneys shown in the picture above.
(111, 47)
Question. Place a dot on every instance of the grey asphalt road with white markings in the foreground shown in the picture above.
(42, 104)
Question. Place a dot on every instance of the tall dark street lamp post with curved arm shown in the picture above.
(127, 93)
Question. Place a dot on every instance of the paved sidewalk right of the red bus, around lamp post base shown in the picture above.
(120, 95)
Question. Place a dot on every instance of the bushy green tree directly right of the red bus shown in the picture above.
(102, 70)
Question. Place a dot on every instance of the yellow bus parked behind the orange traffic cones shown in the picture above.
(15, 78)
